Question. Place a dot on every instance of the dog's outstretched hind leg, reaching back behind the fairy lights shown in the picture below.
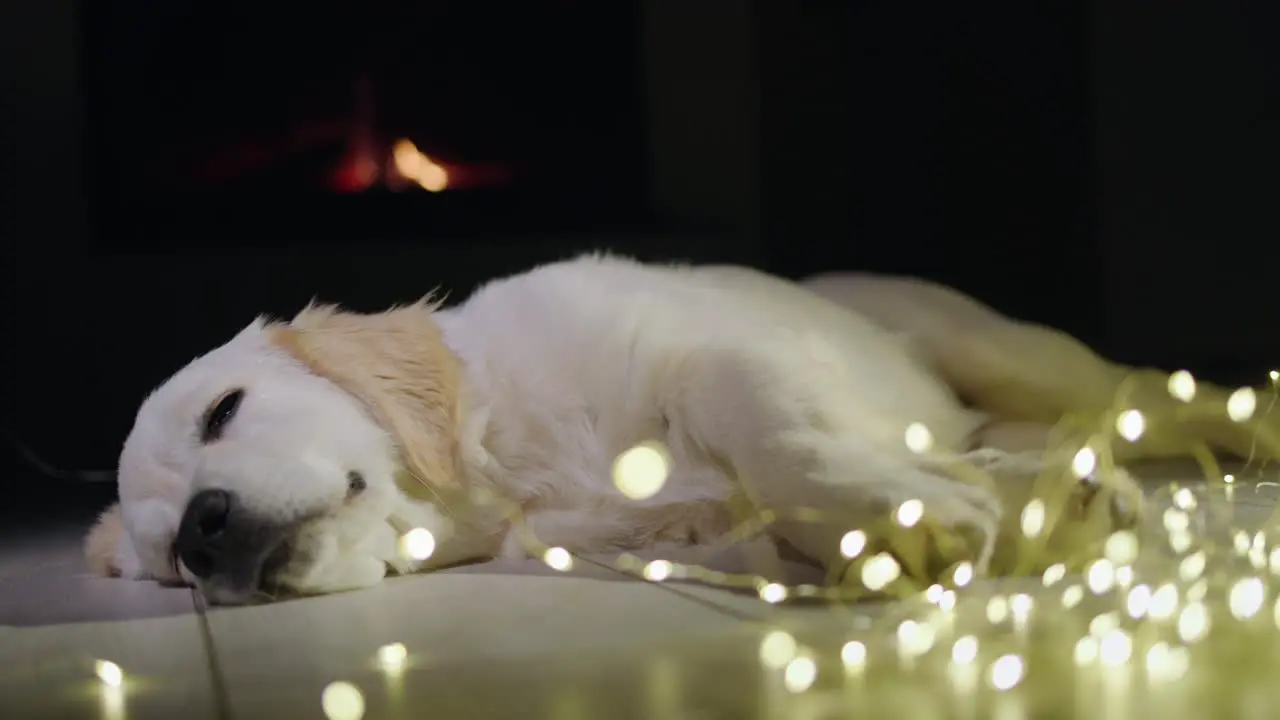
(1030, 375)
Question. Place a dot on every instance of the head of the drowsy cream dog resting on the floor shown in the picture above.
(292, 458)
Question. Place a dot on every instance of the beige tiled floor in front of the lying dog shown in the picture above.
(491, 641)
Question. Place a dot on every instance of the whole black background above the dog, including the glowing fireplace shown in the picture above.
(176, 170)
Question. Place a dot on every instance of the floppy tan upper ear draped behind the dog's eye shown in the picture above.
(397, 366)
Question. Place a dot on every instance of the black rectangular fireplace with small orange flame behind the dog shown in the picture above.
(386, 120)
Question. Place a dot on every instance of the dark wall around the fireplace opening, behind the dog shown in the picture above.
(1105, 167)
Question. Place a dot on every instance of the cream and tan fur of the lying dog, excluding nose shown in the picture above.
(761, 389)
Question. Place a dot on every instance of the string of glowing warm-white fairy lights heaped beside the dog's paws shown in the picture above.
(1172, 616)
